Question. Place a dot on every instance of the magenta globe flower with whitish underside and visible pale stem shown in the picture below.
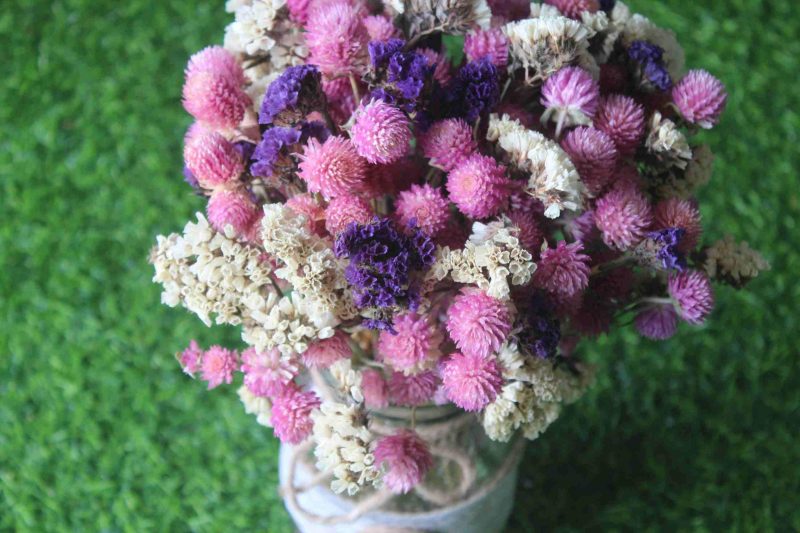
(570, 97)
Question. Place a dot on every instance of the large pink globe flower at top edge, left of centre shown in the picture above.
(337, 38)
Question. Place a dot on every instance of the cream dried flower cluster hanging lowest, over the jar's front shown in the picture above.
(343, 447)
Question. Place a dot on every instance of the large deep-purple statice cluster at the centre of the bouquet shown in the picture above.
(383, 262)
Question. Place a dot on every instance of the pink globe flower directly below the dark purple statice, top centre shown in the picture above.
(448, 143)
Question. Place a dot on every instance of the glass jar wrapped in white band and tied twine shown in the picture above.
(469, 489)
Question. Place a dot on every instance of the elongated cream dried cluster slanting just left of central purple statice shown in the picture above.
(310, 265)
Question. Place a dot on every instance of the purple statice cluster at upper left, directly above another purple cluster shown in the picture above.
(293, 95)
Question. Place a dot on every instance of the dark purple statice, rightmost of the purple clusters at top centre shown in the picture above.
(475, 91)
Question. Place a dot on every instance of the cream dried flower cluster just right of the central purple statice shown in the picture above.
(493, 259)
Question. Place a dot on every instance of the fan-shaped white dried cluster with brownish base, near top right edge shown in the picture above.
(542, 45)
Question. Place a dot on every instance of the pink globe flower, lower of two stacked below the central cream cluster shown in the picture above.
(471, 381)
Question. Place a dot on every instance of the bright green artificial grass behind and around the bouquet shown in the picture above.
(100, 431)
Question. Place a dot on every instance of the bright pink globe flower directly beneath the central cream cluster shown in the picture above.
(478, 323)
